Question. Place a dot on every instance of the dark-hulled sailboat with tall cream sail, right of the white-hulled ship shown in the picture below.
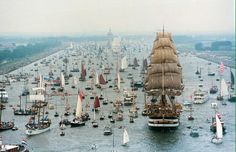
(77, 121)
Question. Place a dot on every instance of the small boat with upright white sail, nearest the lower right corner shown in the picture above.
(218, 138)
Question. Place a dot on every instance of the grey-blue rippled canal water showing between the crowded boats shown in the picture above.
(142, 139)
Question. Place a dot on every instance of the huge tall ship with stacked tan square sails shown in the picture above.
(163, 82)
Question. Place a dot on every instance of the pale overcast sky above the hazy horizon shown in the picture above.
(122, 16)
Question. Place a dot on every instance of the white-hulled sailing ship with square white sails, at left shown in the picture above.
(43, 123)
